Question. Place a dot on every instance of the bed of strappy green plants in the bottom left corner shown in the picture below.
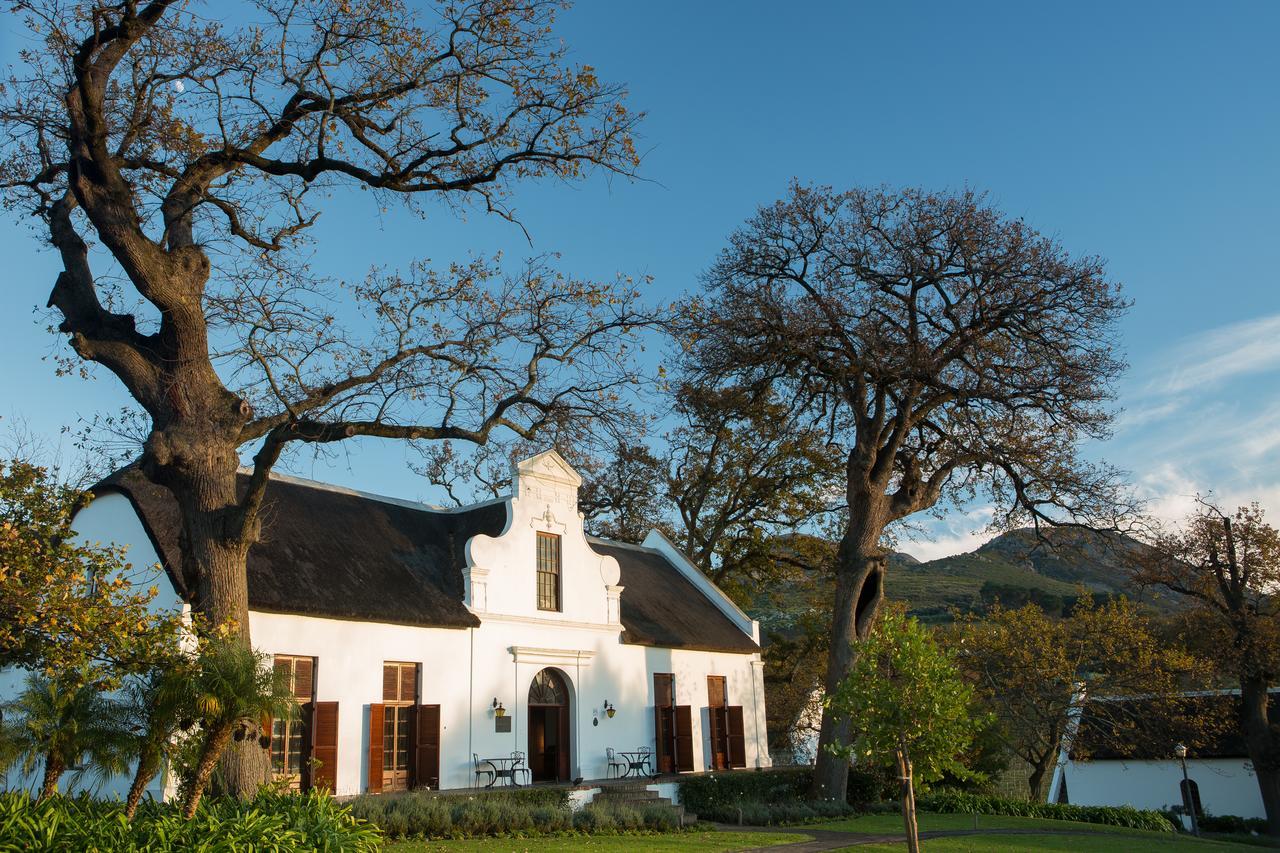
(269, 823)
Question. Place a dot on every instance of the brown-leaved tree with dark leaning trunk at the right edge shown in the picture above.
(1227, 567)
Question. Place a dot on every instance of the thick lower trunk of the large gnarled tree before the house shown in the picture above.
(214, 554)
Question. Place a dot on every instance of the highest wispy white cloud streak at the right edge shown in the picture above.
(1236, 350)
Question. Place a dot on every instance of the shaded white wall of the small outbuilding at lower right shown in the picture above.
(1227, 787)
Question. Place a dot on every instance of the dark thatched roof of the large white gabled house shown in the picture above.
(345, 555)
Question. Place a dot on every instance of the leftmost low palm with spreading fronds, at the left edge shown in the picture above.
(66, 724)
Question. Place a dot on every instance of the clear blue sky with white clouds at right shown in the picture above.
(1144, 133)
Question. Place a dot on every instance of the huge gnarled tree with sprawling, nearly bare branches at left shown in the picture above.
(194, 156)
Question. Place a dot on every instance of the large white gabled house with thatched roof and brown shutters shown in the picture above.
(420, 640)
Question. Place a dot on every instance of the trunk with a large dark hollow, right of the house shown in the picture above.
(860, 591)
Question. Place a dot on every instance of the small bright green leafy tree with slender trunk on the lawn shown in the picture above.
(911, 703)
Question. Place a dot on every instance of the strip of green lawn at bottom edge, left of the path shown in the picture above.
(673, 843)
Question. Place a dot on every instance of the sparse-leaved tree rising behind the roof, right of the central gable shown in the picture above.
(733, 485)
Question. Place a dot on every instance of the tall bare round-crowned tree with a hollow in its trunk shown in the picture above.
(949, 353)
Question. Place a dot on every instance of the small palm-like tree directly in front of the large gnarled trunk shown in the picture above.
(235, 696)
